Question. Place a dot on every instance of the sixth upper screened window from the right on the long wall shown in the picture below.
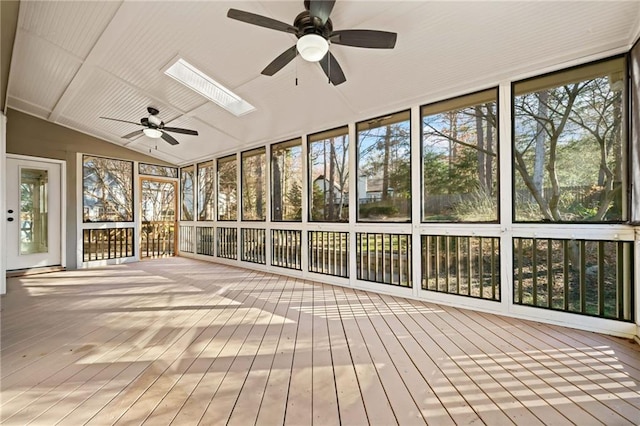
(254, 188)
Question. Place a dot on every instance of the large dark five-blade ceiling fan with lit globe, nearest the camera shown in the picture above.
(314, 31)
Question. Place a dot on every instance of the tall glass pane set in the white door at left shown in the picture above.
(34, 211)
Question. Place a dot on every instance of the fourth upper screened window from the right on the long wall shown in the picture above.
(329, 176)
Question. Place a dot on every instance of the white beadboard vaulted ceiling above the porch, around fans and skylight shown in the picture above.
(76, 61)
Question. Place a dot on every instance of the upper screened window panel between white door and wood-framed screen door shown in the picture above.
(107, 188)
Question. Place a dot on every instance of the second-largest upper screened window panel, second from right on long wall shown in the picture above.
(460, 159)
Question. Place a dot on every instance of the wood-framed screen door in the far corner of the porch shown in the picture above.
(158, 205)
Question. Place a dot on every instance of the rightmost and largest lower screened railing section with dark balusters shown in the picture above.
(589, 277)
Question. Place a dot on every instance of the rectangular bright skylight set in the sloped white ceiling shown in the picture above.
(196, 80)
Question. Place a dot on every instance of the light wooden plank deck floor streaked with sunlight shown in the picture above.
(178, 341)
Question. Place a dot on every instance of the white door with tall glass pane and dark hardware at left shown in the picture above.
(33, 213)
